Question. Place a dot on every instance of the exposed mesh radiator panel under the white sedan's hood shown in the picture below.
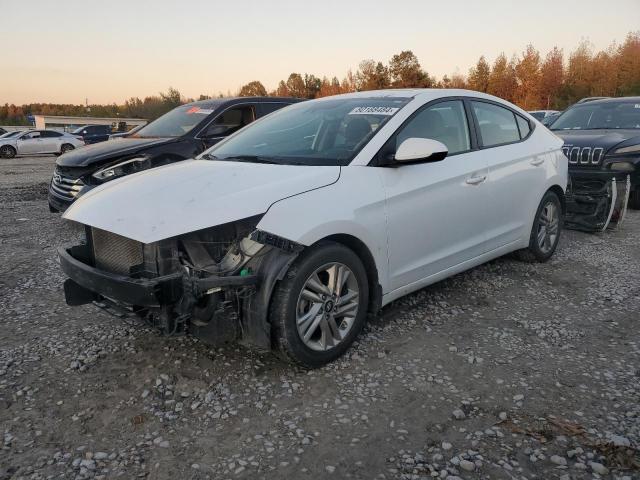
(114, 253)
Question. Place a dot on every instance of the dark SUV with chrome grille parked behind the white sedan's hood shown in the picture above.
(182, 133)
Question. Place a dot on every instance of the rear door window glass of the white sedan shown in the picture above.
(497, 124)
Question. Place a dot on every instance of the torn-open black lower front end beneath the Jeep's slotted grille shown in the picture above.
(596, 200)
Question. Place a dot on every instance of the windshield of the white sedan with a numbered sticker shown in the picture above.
(317, 132)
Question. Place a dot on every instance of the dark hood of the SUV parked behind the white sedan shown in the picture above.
(98, 152)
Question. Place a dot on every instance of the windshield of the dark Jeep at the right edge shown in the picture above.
(596, 116)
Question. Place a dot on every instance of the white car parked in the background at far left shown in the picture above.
(36, 142)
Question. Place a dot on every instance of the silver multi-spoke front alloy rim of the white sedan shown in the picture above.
(327, 306)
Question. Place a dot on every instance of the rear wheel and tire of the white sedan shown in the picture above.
(545, 233)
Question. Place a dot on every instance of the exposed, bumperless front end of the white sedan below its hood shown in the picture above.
(214, 283)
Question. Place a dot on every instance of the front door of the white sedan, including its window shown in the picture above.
(437, 211)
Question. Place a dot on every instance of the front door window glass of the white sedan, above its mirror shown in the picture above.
(445, 121)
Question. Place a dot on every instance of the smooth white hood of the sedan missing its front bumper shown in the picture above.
(187, 196)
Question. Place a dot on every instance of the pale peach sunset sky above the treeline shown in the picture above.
(67, 50)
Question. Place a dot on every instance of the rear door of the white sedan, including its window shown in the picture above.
(516, 170)
